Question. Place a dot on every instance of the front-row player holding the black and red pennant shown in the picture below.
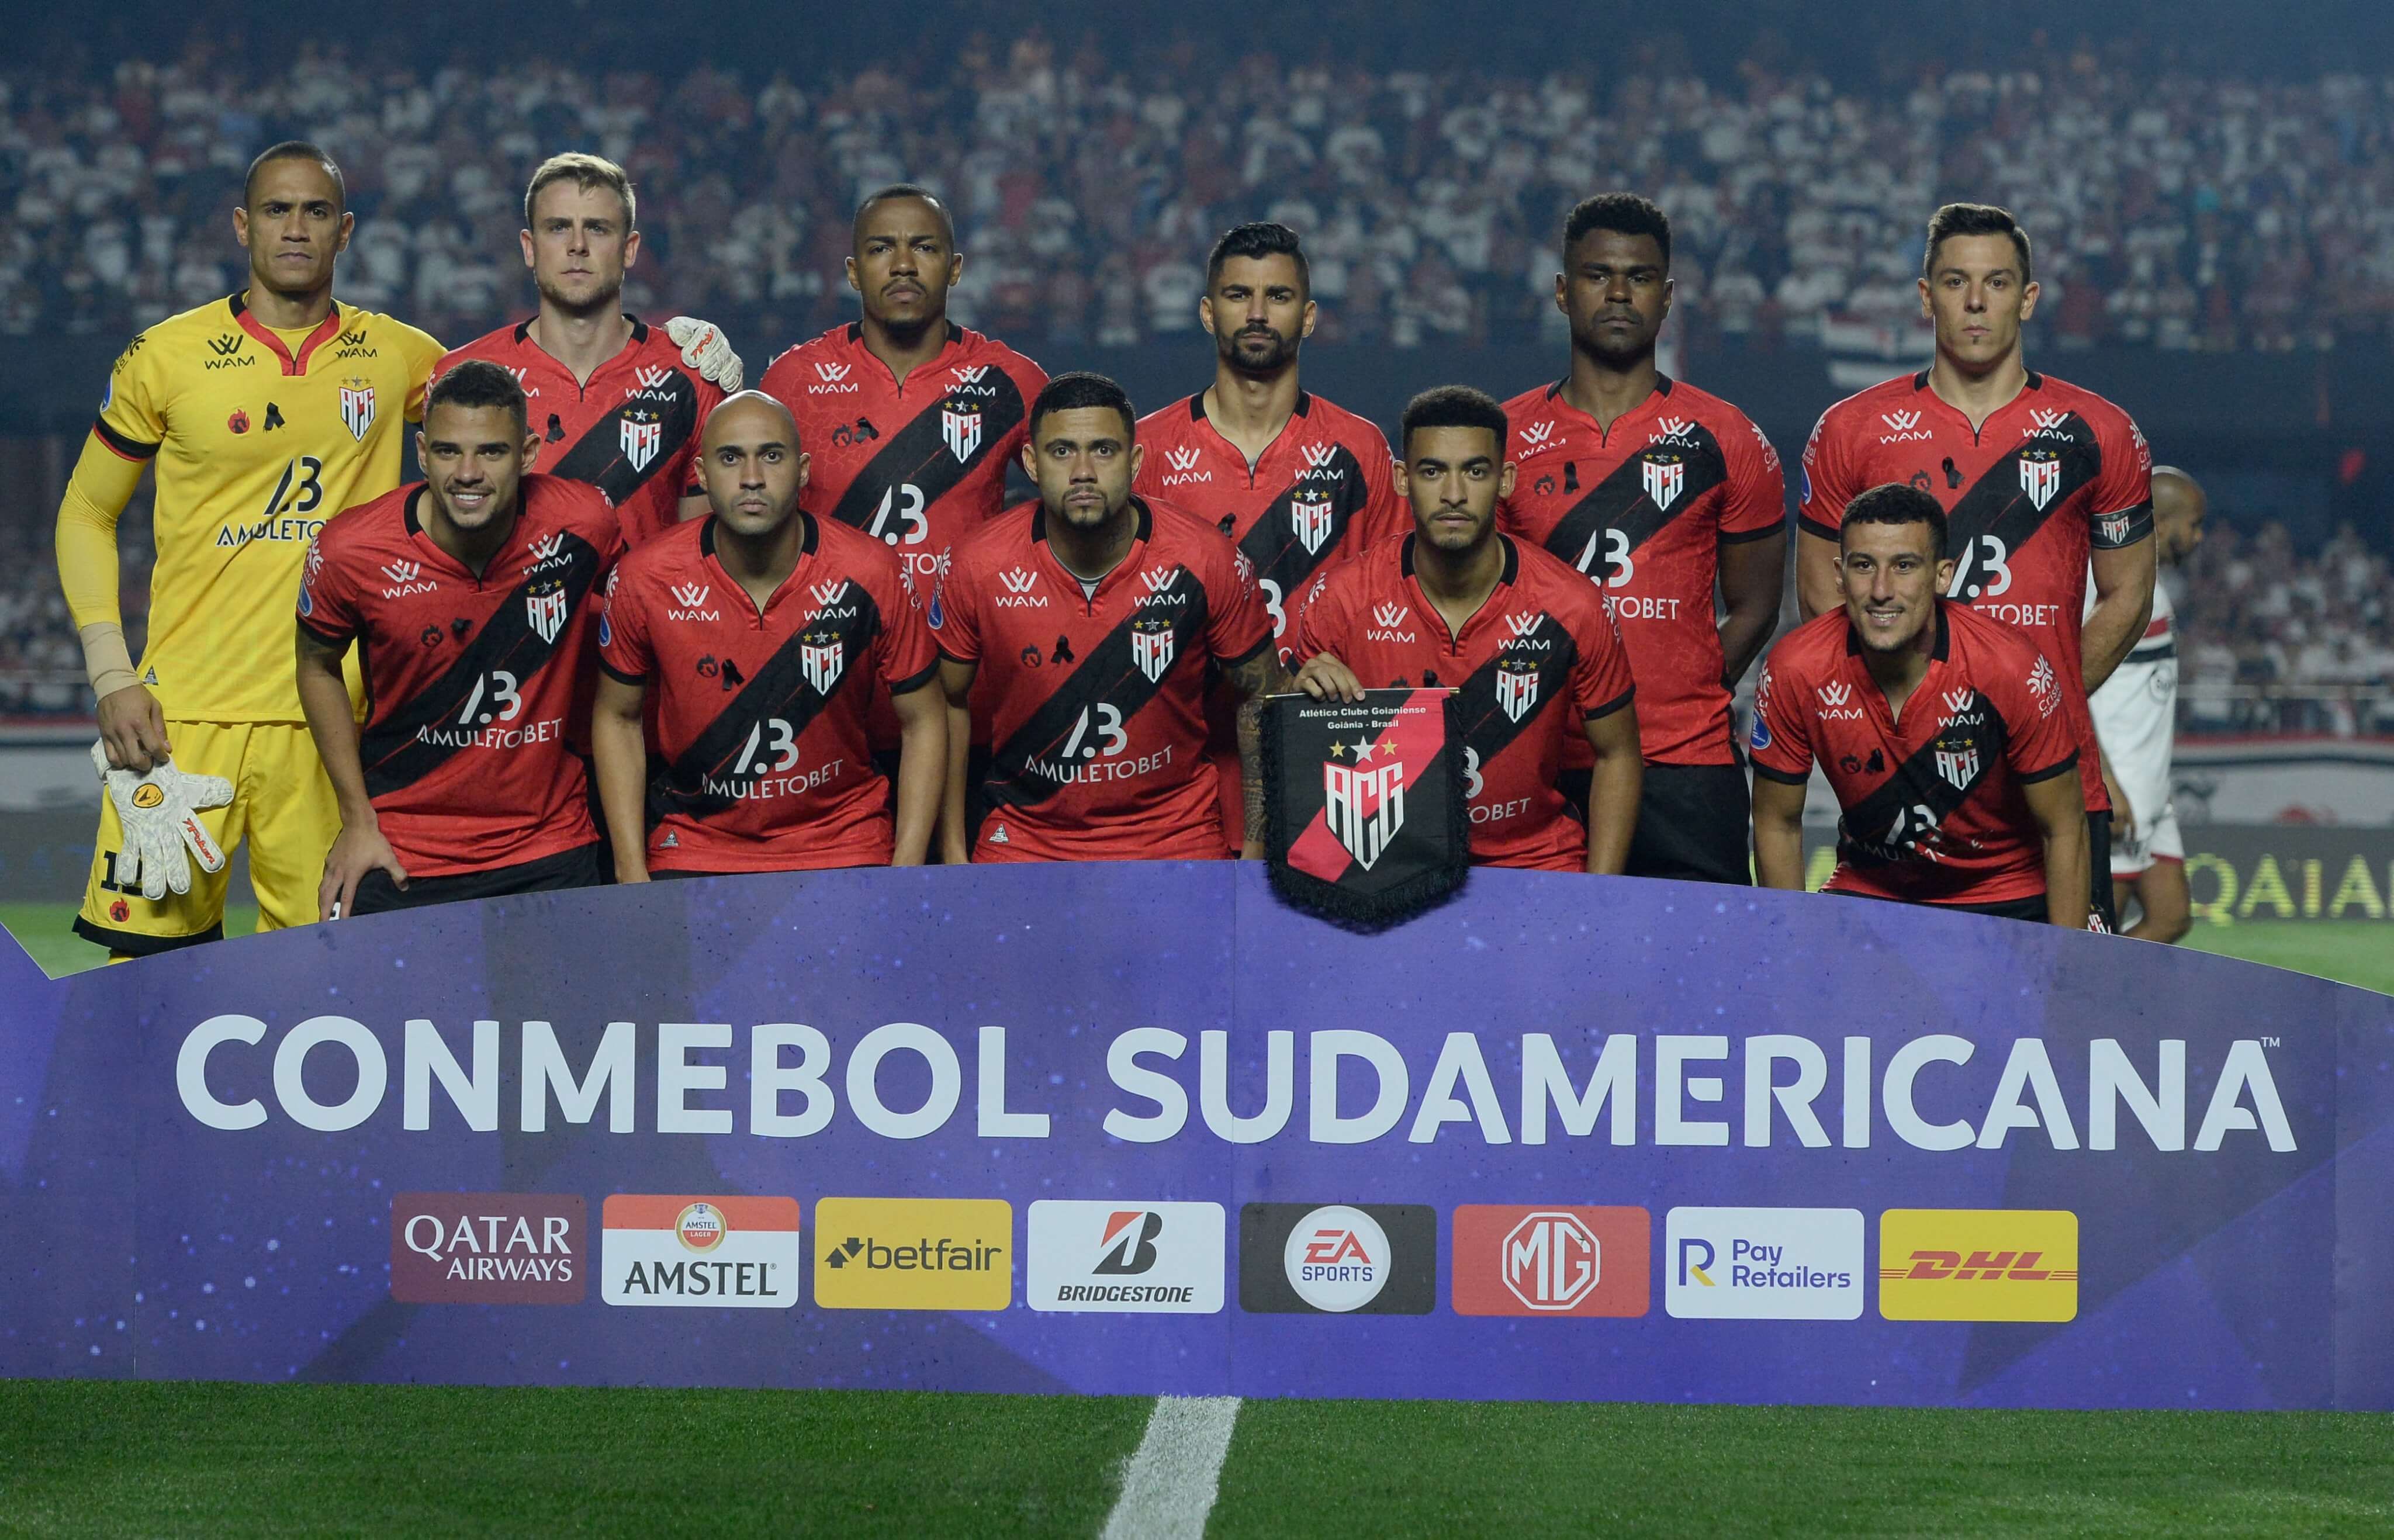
(1517, 633)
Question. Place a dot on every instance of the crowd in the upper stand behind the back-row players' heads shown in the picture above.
(2180, 214)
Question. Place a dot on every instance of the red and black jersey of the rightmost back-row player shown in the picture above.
(2048, 478)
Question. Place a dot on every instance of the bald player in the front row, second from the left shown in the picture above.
(755, 633)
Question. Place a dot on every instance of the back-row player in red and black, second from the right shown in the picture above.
(1663, 497)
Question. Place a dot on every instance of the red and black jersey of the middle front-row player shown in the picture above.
(1095, 703)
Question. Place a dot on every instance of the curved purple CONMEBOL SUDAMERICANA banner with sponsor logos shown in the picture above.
(1146, 1129)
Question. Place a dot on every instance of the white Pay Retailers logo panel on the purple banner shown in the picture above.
(1763, 1263)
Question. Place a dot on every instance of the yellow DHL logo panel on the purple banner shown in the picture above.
(1979, 1266)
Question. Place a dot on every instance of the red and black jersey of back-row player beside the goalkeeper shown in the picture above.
(633, 430)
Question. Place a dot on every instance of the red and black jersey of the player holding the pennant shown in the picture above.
(1533, 665)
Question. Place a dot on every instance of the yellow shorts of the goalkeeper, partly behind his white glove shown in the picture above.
(281, 804)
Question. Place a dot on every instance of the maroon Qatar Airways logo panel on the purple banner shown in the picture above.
(490, 1249)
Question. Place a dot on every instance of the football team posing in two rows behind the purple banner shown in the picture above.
(911, 598)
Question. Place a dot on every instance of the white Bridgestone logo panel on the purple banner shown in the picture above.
(1155, 1259)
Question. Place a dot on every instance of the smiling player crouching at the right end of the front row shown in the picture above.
(1940, 732)
